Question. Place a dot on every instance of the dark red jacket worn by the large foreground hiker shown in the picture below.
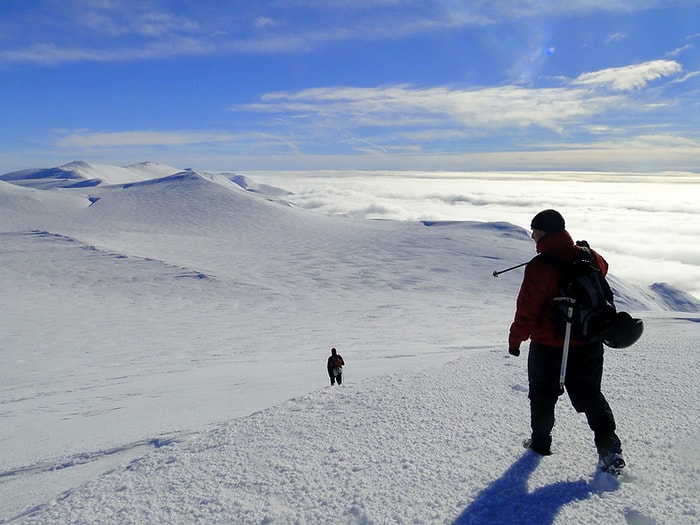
(534, 315)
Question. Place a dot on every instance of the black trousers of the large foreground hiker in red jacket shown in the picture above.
(583, 379)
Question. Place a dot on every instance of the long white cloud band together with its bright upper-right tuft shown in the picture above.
(489, 108)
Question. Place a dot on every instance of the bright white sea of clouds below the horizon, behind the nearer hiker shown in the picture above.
(646, 225)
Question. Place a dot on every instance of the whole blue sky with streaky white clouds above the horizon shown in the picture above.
(352, 84)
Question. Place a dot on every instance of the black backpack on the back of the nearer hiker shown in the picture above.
(582, 287)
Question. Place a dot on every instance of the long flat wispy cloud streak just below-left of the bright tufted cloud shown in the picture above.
(401, 106)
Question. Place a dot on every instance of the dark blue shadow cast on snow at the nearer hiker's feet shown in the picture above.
(507, 499)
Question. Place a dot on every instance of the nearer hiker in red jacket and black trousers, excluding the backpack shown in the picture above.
(534, 320)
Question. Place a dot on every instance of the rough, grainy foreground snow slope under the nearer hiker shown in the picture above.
(435, 445)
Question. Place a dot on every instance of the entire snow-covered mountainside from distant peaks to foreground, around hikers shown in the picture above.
(163, 346)
